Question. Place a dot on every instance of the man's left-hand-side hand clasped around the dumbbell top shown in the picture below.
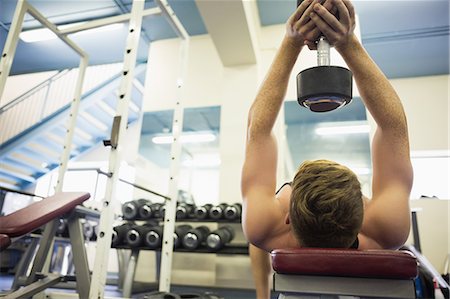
(300, 29)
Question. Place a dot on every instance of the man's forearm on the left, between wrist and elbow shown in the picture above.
(265, 108)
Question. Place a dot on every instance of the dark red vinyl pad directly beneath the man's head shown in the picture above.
(389, 264)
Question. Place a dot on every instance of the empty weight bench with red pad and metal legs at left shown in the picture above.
(46, 212)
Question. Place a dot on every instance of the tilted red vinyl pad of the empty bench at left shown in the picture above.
(39, 213)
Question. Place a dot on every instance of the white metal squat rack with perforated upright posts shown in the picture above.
(97, 281)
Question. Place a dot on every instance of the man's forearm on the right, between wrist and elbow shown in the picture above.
(376, 91)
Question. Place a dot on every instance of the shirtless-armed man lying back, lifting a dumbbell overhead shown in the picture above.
(323, 206)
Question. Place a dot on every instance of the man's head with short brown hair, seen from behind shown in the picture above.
(326, 205)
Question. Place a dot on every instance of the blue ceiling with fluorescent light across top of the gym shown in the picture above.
(406, 38)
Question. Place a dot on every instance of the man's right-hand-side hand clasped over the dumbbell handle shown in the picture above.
(338, 31)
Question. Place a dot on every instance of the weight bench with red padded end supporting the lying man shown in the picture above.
(330, 273)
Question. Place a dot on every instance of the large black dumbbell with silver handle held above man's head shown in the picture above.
(325, 87)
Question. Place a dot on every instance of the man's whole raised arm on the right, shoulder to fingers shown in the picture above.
(387, 216)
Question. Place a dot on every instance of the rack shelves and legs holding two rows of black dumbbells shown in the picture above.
(130, 264)
